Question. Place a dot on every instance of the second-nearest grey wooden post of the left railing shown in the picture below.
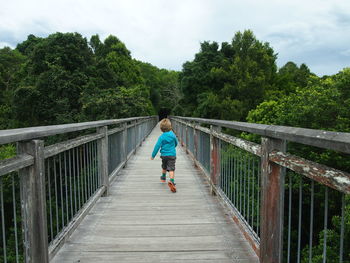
(103, 158)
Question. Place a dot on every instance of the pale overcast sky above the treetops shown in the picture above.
(168, 33)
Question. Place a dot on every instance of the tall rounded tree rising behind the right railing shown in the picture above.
(237, 76)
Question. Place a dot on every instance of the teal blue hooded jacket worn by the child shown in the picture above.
(167, 143)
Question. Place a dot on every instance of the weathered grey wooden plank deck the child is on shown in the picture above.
(142, 221)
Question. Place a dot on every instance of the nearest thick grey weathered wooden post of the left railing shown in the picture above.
(33, 203)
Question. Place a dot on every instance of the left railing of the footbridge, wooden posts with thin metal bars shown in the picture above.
(45, 191)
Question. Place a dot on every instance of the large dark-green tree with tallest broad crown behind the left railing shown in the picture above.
(54, 75)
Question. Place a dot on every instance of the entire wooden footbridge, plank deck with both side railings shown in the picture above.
(90, 193)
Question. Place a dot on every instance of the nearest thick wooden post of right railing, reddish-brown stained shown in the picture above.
(272, 201)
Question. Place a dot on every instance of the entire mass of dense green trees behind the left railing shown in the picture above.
(64, 78)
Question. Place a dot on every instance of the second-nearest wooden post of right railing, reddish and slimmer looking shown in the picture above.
(214, 155)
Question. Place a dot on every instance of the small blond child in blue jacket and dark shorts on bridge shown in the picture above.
(167, 143)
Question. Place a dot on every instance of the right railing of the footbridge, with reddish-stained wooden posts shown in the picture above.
(290, 209)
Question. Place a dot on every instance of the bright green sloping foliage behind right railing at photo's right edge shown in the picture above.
(323, 104)
